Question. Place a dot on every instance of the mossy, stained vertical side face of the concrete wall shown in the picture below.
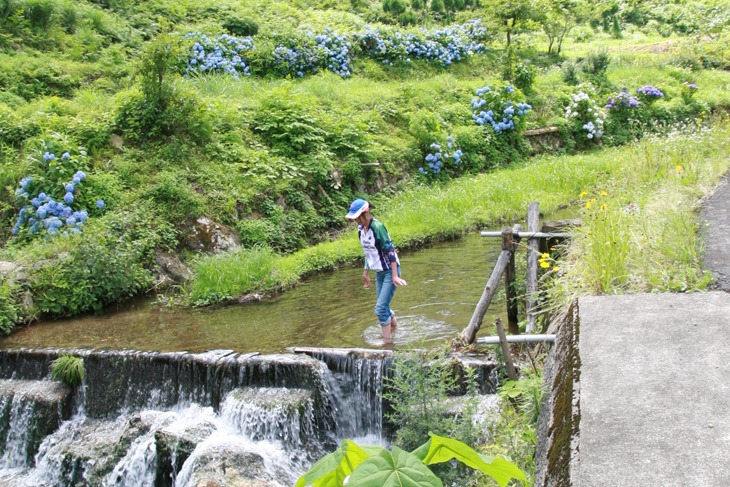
(557, 432)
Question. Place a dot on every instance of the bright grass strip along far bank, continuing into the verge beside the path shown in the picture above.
(630, 236)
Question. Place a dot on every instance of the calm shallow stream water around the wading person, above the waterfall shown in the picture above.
(445, 282)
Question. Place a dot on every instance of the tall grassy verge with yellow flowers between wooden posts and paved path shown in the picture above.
(643, 233)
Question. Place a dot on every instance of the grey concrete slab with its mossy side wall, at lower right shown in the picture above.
(646, 401)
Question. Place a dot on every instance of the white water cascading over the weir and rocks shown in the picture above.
(178, 419)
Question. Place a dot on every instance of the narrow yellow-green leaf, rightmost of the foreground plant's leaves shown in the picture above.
(441, 449)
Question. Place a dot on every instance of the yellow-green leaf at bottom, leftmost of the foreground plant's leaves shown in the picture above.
(331, 470)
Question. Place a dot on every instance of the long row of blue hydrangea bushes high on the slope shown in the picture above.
(305, 52)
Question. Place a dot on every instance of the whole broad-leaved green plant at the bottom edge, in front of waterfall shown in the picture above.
(369, 466)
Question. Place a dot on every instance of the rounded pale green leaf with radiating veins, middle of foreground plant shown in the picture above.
(393, 469)
